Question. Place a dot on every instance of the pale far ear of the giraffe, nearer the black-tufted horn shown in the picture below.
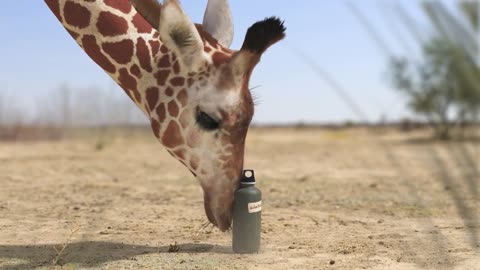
(218, 21)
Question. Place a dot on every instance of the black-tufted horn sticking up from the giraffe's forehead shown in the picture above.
(260, 36)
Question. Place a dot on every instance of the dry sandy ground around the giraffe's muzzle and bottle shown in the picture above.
(333, 199)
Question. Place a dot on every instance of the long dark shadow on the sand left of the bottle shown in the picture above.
(90, 254)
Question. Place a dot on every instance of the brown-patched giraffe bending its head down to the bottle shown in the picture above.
(183, 76)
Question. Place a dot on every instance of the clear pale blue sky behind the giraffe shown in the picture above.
(38, 55)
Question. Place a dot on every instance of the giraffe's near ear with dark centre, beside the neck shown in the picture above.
(179, 34)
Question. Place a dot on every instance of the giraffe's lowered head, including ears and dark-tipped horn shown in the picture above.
(206, 114)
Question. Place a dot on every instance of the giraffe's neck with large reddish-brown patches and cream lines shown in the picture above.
(123, 44)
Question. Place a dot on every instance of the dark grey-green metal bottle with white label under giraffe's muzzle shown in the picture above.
(247, 212)
